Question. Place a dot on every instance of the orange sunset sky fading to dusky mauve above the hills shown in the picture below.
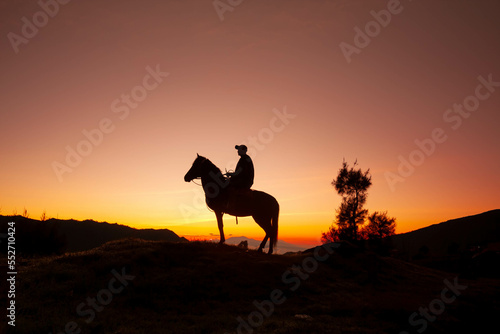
(105, 105)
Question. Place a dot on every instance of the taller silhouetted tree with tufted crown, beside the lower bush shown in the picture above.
(352, 184)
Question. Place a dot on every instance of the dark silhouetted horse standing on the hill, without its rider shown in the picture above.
(261, 206)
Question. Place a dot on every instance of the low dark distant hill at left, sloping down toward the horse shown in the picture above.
(57, 236)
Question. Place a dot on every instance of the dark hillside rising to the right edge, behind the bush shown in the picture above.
(469, 246)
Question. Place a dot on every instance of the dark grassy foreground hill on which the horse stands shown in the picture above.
(202, 287)
